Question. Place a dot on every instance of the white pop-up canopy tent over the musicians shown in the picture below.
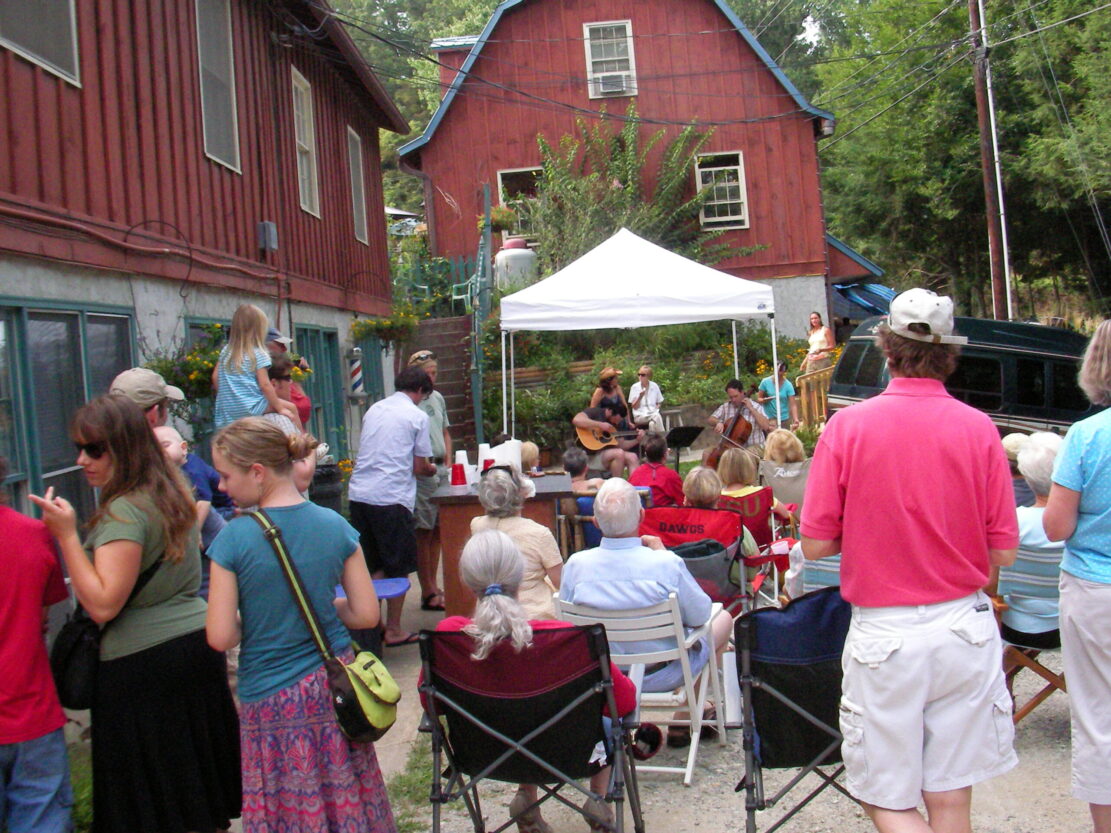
(627, 283)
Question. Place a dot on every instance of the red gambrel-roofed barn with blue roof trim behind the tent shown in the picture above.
(539, 65)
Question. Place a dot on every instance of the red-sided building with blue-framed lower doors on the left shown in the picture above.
(161, 164)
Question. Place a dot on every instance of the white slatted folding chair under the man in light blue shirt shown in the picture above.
(660, 621)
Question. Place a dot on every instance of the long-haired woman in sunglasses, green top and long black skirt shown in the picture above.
(165, 731)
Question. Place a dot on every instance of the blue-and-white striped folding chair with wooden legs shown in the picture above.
(1030, 583)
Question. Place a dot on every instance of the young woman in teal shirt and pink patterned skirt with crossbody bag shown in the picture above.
(301, 772)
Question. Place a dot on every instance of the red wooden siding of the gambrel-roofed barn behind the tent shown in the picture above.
(690, 66)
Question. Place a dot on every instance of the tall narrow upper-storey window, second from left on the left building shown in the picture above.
(217, 67)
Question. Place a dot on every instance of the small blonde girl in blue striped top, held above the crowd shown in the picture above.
(241, 379)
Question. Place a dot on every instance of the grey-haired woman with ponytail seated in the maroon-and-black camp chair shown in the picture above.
(493, 568)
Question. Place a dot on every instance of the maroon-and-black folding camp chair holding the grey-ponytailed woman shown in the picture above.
(529, 718)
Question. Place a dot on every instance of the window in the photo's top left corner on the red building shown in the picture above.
(44, 33)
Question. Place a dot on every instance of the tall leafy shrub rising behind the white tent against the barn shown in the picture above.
(593, 185)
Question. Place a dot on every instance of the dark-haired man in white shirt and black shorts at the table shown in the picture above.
(395, 449)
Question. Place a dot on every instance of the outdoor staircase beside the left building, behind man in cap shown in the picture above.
(449, 338)
